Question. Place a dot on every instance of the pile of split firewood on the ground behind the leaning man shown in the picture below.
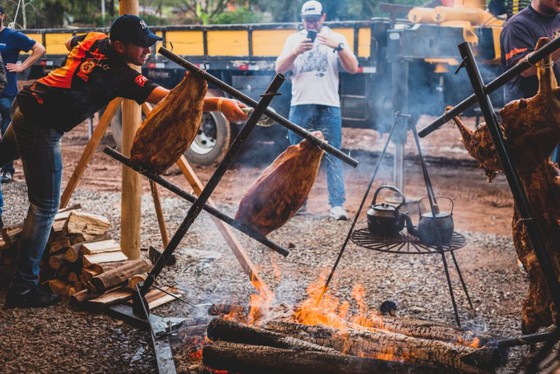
(82, 262)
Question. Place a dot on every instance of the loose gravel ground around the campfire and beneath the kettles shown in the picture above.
(61, 339)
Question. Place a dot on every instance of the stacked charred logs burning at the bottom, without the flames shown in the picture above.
(280, 346)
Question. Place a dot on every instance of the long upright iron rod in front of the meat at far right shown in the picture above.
(534, 232)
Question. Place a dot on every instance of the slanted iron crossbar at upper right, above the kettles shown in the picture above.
(505, 77)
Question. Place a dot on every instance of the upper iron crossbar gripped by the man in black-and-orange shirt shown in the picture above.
(247, 100)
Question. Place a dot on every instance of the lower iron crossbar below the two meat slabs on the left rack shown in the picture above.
(190, 198)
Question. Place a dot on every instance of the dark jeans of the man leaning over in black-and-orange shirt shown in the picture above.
(40, 153)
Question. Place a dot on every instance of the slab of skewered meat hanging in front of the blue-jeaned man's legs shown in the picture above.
(282, 188)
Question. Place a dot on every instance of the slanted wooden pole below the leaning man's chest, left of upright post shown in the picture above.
(98, 134)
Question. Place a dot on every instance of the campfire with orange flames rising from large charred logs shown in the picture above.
(325, 335)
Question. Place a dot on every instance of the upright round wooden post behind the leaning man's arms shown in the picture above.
(131, 182)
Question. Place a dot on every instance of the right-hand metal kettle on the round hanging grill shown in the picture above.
(431, 229)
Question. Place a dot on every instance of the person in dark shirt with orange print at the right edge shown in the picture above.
(518, 39)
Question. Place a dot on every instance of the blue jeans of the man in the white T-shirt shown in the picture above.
(328, 120)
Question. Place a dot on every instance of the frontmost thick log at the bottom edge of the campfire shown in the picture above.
(245, 358)
